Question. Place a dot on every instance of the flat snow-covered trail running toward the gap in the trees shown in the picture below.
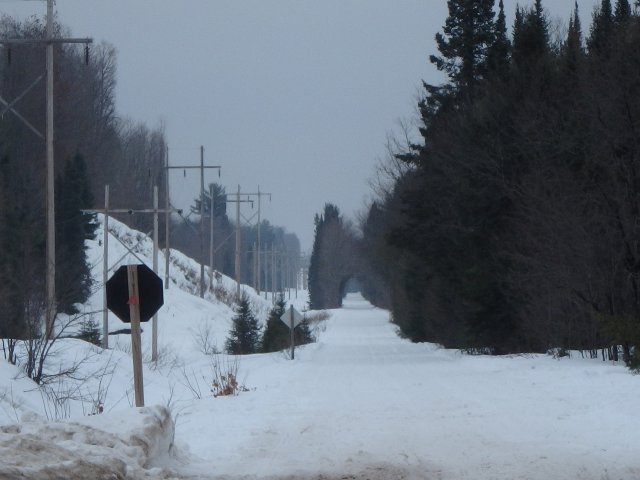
(364, 402)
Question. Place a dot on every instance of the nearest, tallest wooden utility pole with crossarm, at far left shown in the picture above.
(49, 41)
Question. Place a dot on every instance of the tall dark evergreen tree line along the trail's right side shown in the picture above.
(512, 225)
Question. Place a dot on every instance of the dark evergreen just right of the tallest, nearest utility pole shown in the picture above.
(73, 227)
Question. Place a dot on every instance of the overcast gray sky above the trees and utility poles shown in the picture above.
(294, 96)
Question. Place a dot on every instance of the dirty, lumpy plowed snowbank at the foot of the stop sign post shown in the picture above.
(108, 446)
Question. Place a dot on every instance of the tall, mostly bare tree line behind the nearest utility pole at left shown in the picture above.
(93, 146)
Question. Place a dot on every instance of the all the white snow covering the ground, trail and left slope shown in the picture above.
(360, 403)
